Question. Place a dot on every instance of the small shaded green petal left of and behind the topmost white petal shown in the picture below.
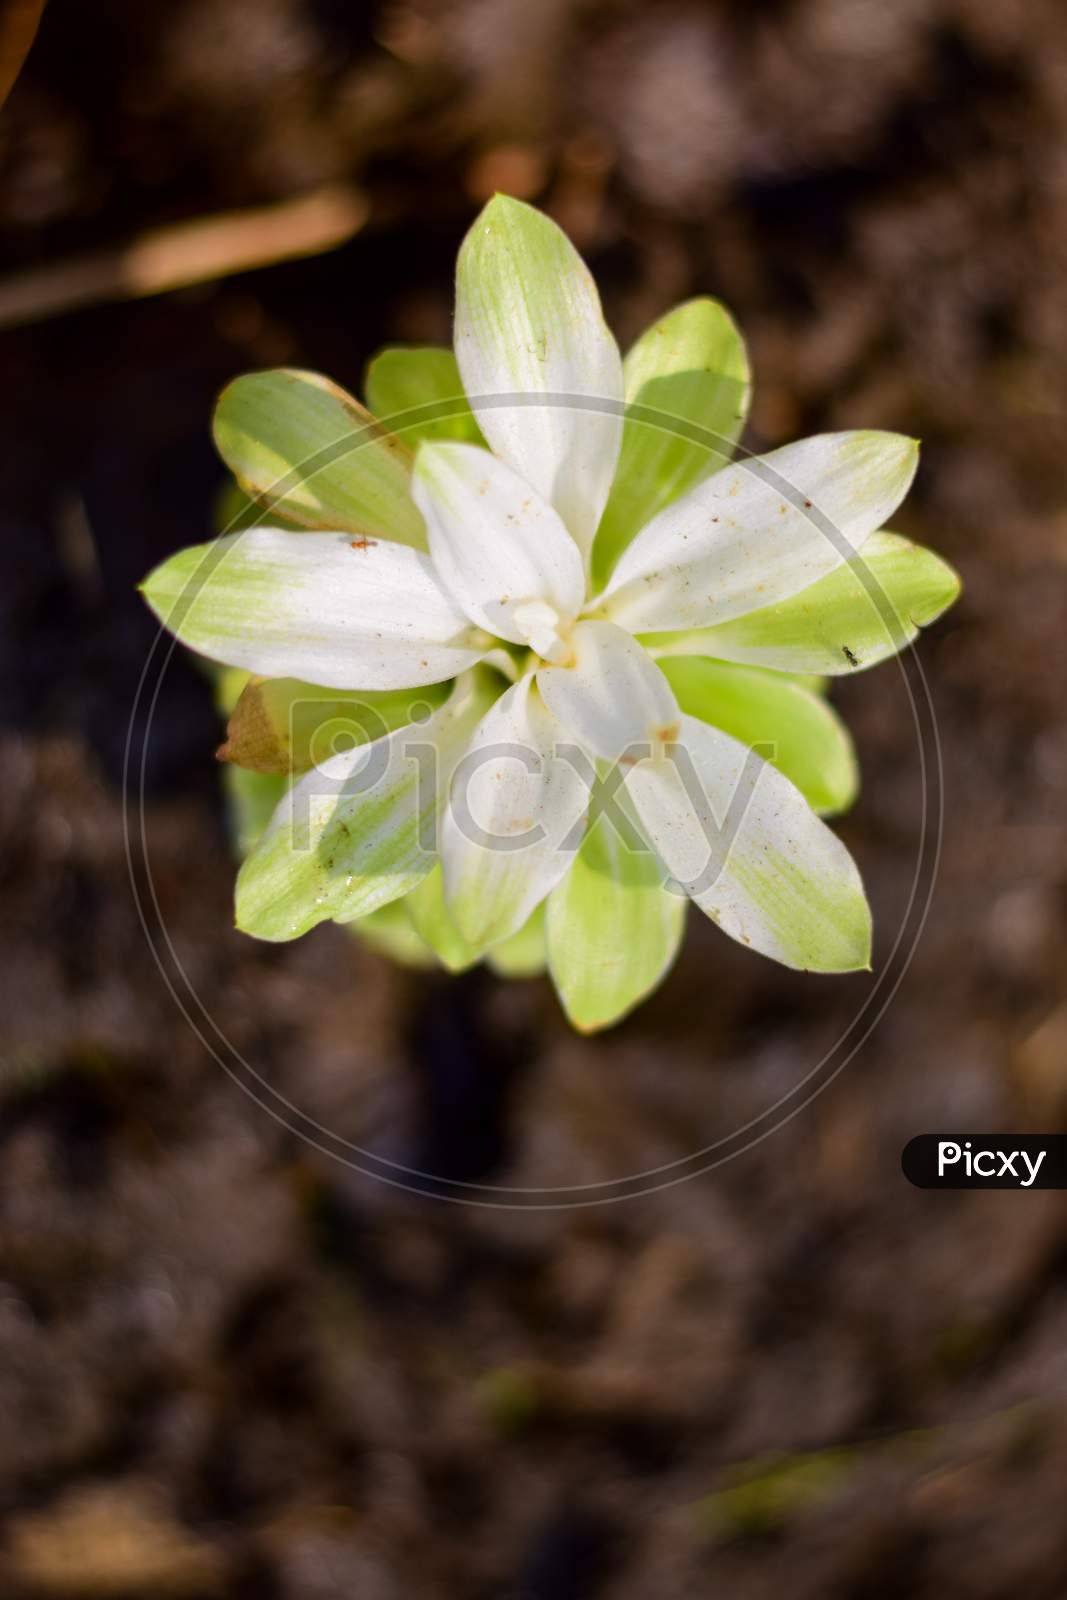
(417, 393)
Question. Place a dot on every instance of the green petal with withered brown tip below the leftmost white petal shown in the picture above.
(284, 726)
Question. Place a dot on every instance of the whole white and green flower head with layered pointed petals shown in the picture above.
(522, 662)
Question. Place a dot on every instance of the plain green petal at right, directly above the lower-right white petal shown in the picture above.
(786, 724)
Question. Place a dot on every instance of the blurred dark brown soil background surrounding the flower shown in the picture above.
(233, 1366)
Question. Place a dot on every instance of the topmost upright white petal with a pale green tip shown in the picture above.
(530, 332)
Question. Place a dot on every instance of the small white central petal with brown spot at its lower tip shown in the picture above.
(612, 697)
